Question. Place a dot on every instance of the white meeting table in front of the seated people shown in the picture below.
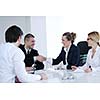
(68, 76)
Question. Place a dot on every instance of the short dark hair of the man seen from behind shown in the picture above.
(12, 33)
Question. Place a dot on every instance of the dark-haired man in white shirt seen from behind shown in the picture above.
(12, 59)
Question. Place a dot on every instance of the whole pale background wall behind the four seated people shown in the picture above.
(48, 30)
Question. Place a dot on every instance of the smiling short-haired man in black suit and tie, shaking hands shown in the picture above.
(31, 55)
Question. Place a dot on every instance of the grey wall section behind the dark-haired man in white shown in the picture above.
(6, 21)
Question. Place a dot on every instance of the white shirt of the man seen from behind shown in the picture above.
(12, 64)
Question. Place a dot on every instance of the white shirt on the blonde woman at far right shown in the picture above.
(93, 62)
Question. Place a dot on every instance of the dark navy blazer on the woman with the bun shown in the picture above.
(72, 58)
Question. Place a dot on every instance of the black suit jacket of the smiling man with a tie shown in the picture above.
(29, 58)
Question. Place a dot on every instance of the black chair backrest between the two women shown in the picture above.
(84, 48)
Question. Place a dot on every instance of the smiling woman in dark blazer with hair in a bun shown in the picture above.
(69, 53)
